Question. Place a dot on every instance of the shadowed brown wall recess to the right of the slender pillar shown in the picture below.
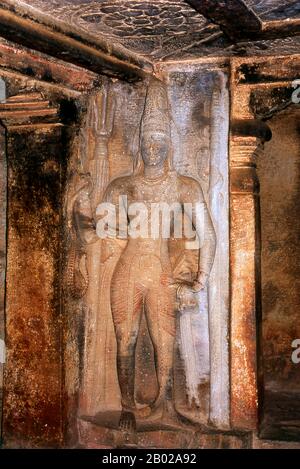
(279, 173)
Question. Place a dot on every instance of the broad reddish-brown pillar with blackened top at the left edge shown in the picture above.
(32, 383)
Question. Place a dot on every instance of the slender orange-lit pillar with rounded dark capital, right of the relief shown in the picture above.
(245, 271)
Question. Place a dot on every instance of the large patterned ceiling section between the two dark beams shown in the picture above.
(156, 28)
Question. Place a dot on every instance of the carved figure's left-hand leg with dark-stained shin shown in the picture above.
(126, 306)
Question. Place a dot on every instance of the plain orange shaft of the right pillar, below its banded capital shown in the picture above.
(243, 325)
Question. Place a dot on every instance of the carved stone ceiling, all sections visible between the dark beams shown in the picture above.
(156, 29)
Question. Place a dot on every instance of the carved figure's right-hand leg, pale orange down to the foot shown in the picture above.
(160, 314)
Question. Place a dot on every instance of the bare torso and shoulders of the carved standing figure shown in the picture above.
(147, 198)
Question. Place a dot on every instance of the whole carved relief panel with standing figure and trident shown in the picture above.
(147, 316)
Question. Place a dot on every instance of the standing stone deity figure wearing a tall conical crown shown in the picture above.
(143, 281)
